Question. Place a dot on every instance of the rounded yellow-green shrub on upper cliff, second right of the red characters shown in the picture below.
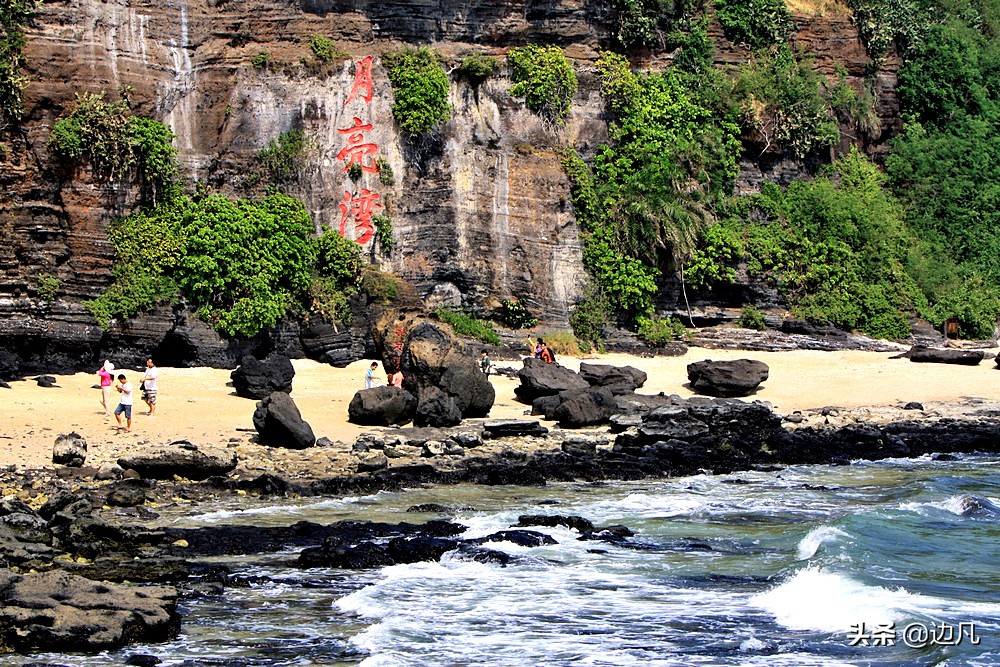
(544, 77)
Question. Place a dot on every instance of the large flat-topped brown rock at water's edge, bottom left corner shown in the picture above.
(56, 611)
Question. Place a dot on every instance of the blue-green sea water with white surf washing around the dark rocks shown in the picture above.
(894, 562)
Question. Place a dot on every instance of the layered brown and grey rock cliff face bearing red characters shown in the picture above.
(481, 211)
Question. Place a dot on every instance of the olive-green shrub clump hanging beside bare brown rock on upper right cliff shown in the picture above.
(783, 102)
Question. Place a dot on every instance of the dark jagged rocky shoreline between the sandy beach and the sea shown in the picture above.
(62, 531)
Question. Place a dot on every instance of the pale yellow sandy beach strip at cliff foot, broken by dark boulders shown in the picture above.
(195, 403)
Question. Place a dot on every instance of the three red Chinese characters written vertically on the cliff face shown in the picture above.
(358, 208)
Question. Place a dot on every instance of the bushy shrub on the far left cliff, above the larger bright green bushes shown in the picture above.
(118, 145)
